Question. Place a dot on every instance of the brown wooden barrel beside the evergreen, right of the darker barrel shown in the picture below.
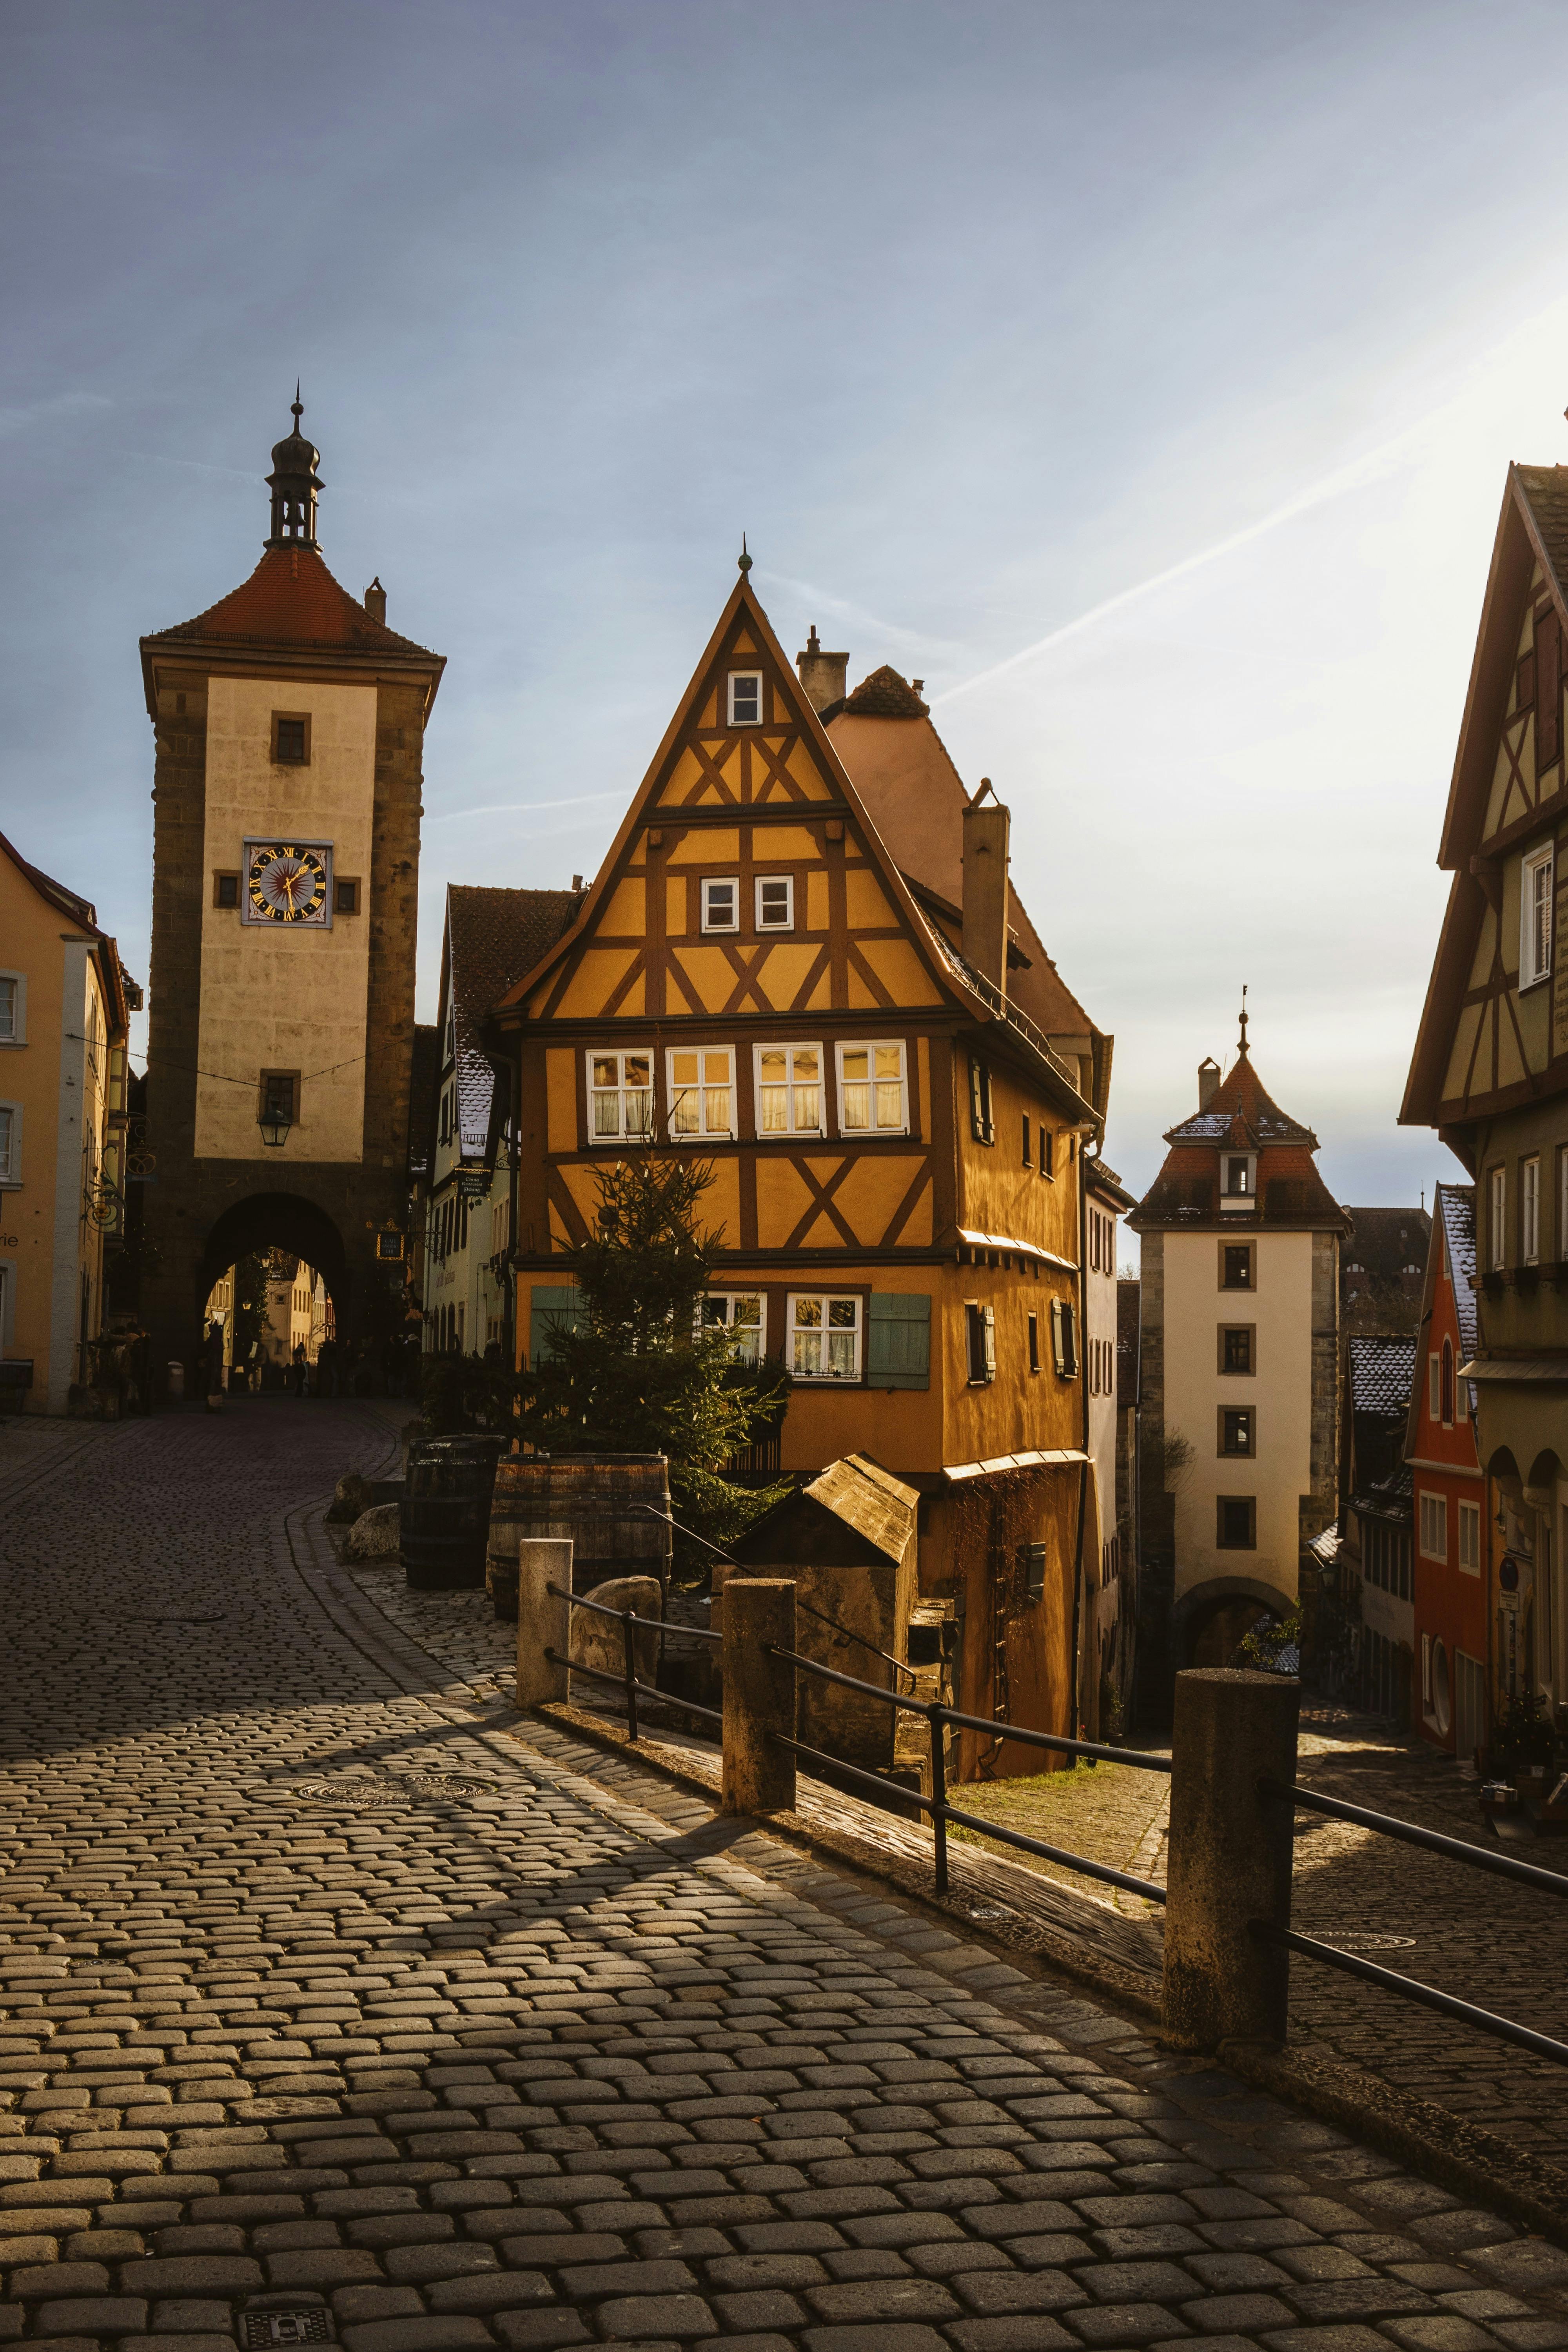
(598, 1502)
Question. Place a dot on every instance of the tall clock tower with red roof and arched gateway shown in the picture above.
(286, 890)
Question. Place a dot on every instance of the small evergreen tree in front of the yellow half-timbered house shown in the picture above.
(641, 1372)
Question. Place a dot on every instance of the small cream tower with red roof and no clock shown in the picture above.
(1240, 1361)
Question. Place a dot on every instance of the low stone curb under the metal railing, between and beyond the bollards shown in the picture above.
(1433, 2141)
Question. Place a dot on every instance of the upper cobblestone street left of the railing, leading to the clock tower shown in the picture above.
(323, 1989)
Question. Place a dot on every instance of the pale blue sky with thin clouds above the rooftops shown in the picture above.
(1139, 373)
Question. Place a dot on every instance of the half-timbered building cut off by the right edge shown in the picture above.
(1492, 1069)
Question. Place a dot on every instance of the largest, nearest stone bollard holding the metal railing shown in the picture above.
(1231, 1857)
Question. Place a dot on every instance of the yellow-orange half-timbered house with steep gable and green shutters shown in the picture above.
(897, 1147)
